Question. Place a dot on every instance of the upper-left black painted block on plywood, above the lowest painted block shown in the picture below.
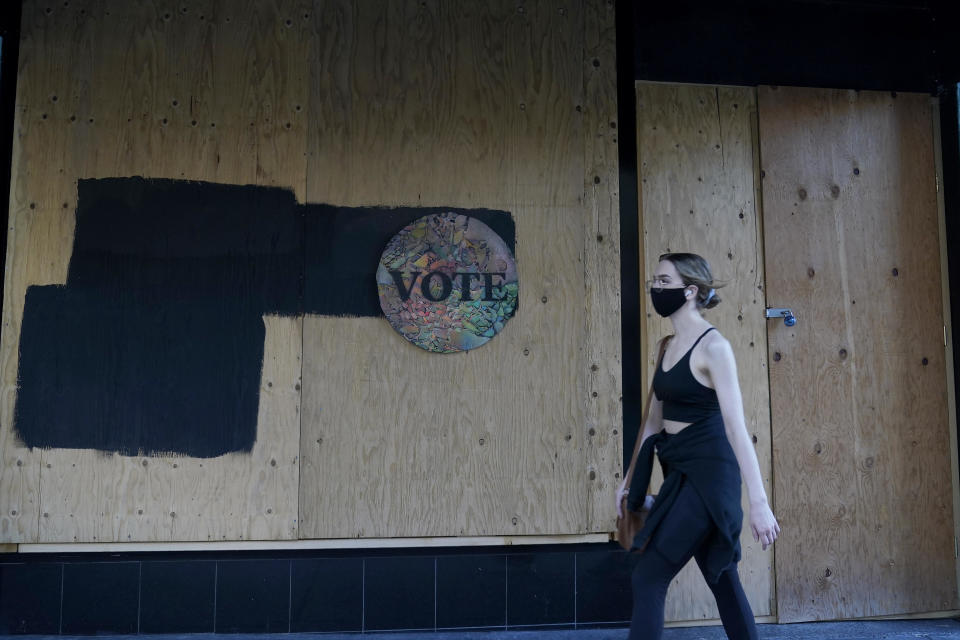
(189, 241)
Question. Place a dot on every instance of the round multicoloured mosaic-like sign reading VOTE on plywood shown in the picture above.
(447, 282)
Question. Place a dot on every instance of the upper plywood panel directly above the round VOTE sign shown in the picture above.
(416, 103)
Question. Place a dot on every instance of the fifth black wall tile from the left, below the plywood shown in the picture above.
(326, 595)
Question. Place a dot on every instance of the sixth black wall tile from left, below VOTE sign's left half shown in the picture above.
(399, 593)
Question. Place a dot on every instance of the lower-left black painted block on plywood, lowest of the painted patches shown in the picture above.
(137, 378)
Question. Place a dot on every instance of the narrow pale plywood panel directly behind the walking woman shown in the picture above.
(697, 174)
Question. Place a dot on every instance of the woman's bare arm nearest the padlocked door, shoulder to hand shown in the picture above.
(722, 369)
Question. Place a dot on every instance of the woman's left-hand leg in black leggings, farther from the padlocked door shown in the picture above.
(681, 532)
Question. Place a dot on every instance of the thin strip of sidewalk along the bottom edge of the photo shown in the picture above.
(938, 629)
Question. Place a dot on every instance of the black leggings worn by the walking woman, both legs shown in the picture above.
(688, 521)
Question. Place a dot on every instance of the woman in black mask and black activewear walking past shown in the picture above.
(696, 424)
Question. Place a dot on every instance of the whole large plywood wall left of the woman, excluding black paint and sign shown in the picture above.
(394, 104)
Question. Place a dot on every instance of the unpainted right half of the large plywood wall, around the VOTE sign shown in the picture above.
(466, 105)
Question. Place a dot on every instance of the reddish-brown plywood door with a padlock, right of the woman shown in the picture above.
(858, 393)
